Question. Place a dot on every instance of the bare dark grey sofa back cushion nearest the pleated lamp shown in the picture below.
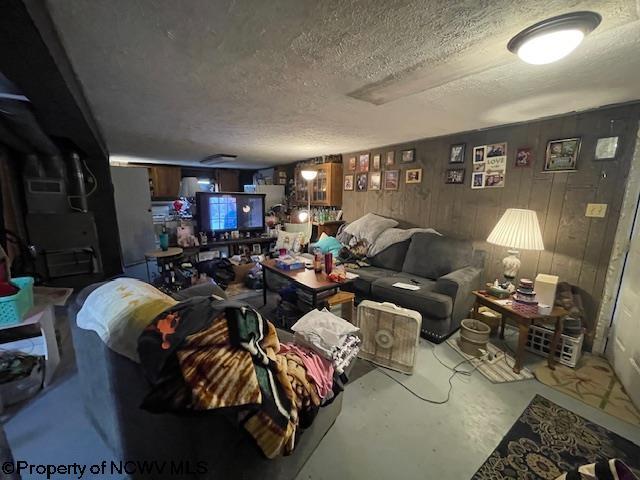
(432, 256)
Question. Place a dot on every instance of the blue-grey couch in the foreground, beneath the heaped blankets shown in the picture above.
(113, 388)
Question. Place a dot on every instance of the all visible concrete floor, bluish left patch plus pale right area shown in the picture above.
(383, 431)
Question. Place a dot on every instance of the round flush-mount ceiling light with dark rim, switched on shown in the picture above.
(554, 38)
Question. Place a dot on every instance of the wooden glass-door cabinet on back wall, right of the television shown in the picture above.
(326, 189)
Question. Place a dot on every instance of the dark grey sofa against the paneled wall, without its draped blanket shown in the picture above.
(447, 270)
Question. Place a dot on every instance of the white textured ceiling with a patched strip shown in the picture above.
(281, 80)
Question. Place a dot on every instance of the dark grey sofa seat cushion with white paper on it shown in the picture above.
(425, 300)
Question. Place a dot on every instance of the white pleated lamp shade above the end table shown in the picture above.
(518, 229)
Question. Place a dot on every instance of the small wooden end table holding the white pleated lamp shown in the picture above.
(524, 320)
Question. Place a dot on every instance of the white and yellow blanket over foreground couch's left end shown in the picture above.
(120, 310)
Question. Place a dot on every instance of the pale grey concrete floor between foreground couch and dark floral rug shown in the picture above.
(384, 432)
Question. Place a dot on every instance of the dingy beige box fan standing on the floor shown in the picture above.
(390, 334)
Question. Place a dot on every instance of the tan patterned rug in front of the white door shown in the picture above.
(593, 382)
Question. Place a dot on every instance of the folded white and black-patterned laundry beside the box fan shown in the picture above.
(330, 336)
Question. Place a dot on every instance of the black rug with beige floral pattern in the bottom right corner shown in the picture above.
(548, 440)
